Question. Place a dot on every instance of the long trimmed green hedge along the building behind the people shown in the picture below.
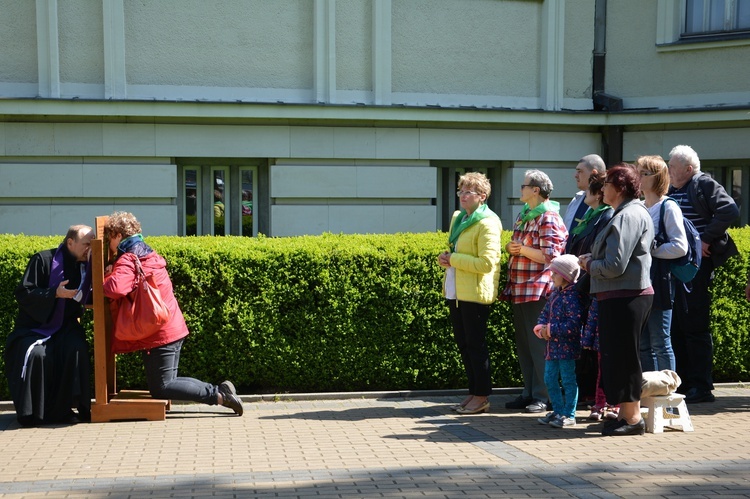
(338, 312)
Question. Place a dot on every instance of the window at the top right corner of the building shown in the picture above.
(716, 17)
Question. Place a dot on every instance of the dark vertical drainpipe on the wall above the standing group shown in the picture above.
(612, 136)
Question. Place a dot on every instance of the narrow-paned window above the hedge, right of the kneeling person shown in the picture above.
(218, 200)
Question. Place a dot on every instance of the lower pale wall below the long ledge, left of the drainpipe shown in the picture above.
(337, 179)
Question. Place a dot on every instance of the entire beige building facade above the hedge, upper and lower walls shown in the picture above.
(118, 93)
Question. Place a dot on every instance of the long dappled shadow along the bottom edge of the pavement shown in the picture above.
(583, 480)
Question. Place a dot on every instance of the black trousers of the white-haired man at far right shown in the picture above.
(691, 331)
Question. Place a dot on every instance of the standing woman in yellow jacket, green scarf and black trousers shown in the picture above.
(470, 285)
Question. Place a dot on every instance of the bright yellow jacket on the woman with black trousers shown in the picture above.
(477, 261)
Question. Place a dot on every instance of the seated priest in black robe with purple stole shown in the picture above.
(47, 356)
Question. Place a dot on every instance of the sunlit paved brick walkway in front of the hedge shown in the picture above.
(408, 446)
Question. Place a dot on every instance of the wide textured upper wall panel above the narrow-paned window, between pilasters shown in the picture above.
(235, 44)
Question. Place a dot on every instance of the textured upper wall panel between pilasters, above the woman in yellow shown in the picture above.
(475, 48)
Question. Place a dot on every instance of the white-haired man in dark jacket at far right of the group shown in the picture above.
(706, 203)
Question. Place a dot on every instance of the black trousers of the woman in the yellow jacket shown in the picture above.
(470, 332)
